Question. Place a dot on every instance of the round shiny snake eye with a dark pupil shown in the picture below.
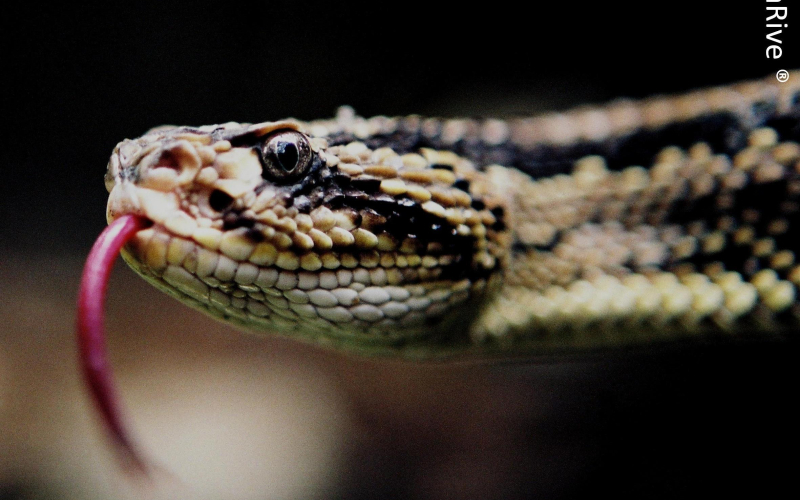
(285, 155)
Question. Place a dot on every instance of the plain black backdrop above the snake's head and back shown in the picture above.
(80, 79)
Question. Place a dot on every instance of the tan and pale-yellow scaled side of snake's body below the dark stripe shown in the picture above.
(611, 249)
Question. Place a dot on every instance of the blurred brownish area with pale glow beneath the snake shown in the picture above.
(234, 416)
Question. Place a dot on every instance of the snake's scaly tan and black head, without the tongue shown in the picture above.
(328, 229)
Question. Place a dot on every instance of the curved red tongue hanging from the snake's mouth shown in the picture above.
(91, 332)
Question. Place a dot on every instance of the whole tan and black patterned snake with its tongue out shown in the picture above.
(631, 223)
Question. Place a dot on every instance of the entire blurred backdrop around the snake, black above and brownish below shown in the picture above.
(229, 415)
